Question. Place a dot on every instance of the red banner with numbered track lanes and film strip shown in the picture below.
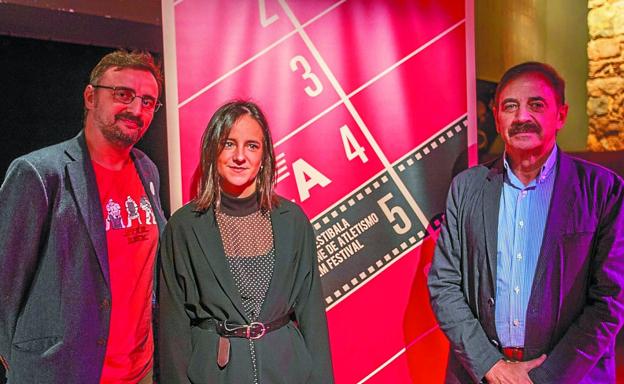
(367, 102)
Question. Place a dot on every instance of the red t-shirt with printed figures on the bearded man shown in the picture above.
(132, 238)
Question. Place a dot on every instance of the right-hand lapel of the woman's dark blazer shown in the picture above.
(283, 236)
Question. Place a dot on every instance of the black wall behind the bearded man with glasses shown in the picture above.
(41, 100)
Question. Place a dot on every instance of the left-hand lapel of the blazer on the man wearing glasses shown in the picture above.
(87, 197)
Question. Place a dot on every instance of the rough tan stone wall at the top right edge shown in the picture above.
(605, 84)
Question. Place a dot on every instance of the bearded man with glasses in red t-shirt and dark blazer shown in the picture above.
(76, 283)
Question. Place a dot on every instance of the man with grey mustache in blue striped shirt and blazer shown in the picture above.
(527, 280)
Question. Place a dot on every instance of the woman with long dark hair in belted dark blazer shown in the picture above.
(240, 295)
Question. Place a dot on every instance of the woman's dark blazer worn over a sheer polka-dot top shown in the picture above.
(196, 285)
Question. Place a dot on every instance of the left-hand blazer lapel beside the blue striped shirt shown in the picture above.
(491, 206)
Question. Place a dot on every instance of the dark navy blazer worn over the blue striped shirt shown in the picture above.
(576, 305)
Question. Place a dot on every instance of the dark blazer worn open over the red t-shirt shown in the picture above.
(54, 272)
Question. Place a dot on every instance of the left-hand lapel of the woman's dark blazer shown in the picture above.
(209, 239)
